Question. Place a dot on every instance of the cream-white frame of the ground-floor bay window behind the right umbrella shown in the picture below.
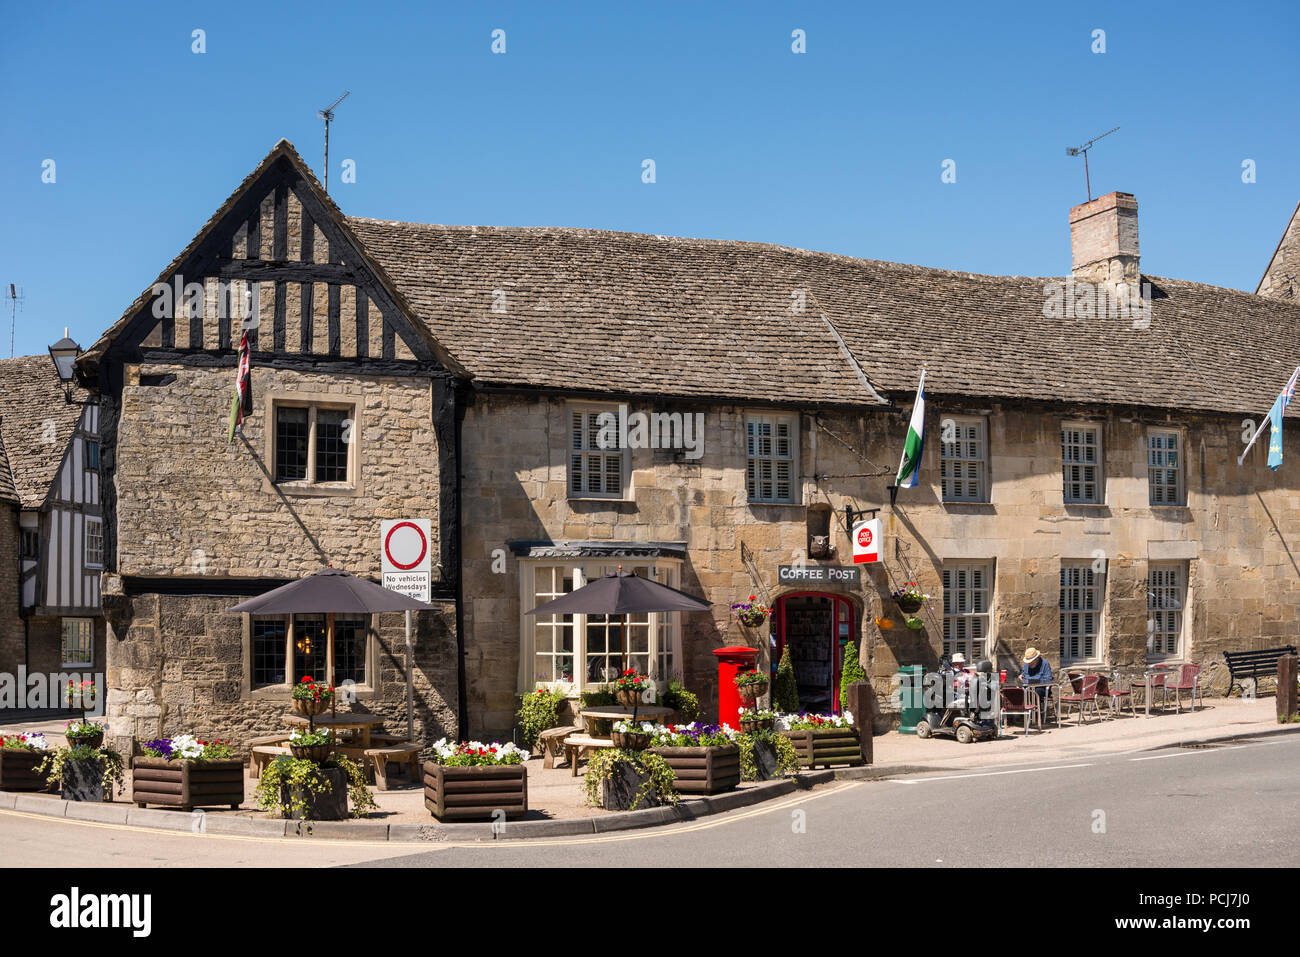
(665, 629)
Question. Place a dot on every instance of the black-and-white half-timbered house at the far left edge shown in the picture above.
(51, 529)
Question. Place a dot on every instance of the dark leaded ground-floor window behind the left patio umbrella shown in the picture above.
(302, 642)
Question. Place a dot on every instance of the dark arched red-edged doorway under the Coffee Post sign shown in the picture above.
(816, 627)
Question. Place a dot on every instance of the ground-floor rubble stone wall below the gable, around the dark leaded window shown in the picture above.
(180, 666)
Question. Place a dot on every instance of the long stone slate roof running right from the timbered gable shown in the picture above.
(625, 313)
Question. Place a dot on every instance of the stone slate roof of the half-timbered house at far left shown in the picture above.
(31, 397)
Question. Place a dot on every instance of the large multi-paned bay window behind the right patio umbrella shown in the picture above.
(592, 651)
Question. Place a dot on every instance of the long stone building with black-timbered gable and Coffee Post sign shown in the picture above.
(1080, 490)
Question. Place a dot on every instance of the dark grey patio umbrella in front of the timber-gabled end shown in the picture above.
(335, 592)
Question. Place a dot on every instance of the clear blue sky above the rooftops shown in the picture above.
(839, 149)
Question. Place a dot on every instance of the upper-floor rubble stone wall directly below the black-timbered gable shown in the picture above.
(190, 505)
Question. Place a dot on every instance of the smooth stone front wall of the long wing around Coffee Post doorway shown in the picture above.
(1245, 581)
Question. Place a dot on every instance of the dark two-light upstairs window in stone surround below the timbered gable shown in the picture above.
(314, 444)
